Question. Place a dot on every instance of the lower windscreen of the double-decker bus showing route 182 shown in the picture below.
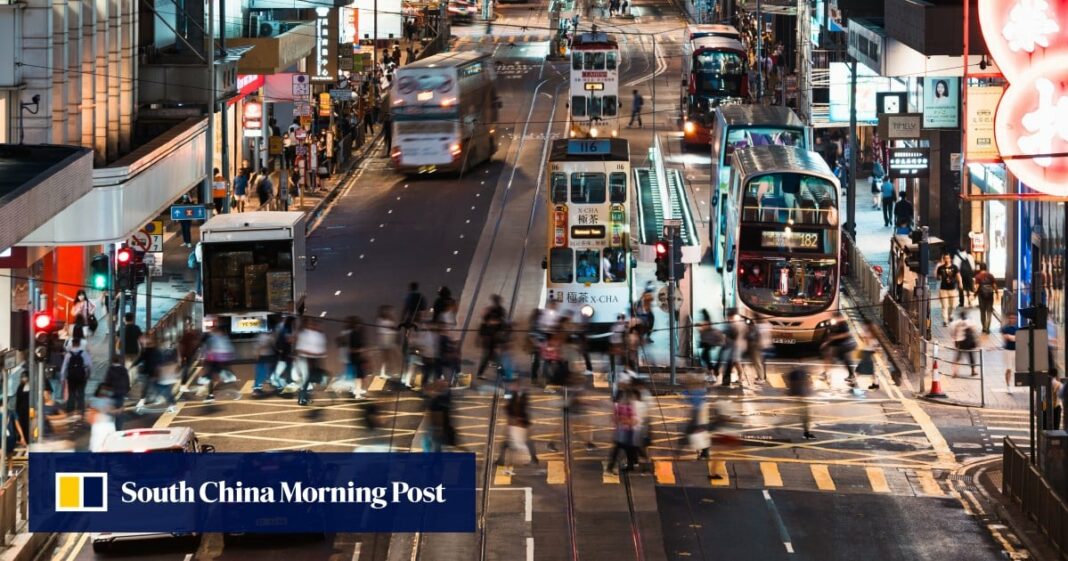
(788, 287)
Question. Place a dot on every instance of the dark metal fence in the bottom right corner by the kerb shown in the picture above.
(1025, 486)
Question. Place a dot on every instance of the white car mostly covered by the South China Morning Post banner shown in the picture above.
(181, 440)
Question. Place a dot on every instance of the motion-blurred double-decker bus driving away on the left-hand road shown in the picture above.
(445, 114)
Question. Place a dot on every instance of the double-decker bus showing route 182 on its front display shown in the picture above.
(783, 236)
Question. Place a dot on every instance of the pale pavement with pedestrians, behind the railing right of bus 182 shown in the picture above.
(873, 242)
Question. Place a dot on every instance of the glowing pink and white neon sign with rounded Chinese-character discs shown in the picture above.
(1029, 42)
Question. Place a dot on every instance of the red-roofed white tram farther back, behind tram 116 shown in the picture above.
(595, 86)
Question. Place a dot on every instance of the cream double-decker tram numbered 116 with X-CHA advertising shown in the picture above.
(589, 243)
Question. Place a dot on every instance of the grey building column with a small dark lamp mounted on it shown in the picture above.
(37, 73)
